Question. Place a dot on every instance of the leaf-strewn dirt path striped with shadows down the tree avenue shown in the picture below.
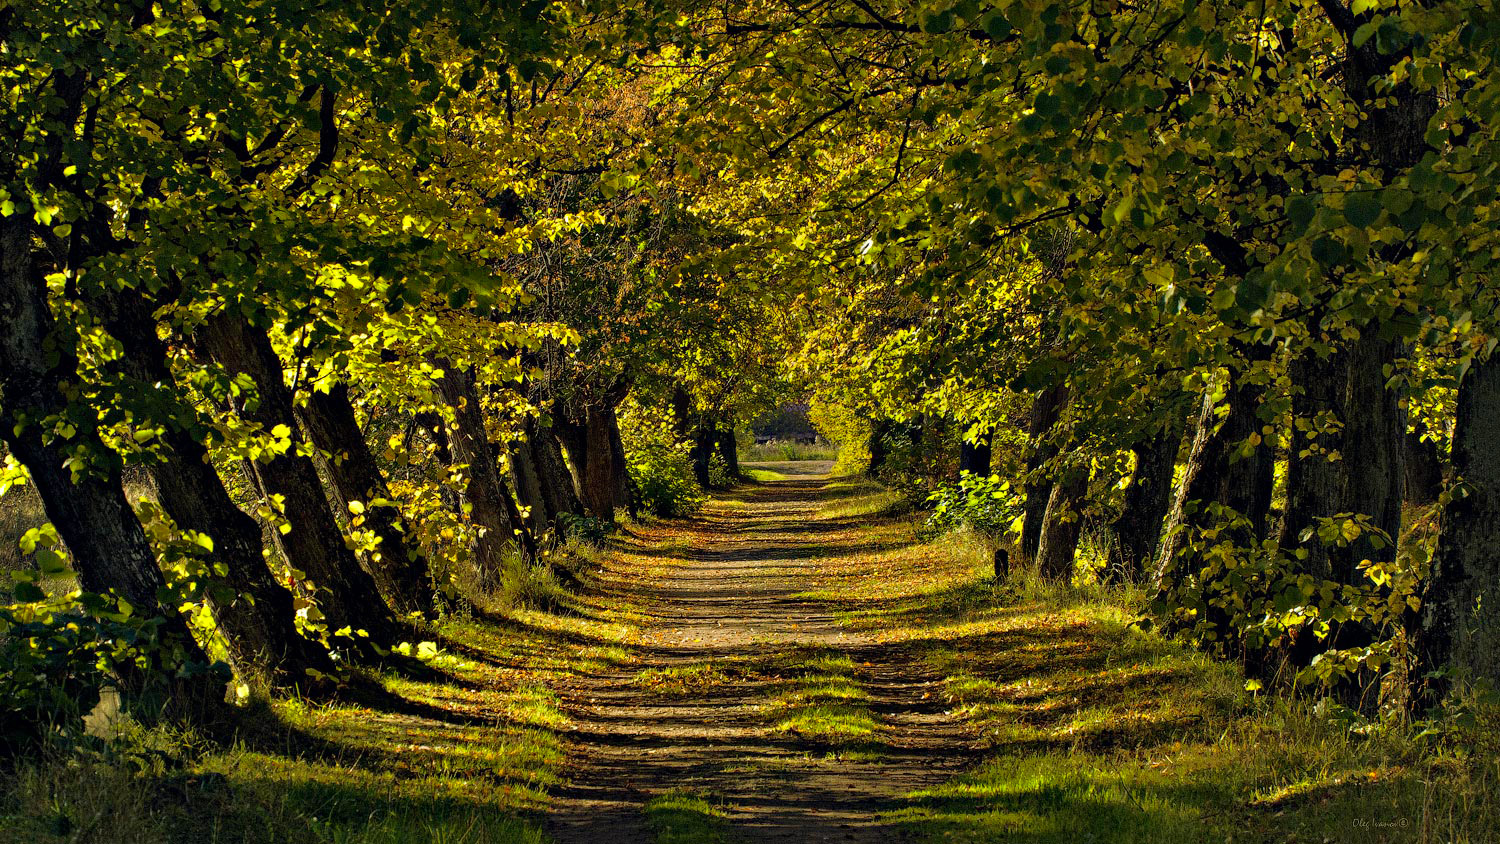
(731, 600)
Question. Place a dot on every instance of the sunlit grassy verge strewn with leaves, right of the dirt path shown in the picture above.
(1096, 731)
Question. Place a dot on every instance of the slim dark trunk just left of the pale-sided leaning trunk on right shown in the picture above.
(1138, 530)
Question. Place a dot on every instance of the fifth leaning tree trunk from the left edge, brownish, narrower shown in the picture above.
(491, 507)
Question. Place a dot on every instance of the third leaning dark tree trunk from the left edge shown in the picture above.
(346, 594)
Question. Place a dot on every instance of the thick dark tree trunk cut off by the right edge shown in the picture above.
(1460, 618)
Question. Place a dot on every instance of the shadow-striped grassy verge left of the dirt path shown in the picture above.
(460, 749)
